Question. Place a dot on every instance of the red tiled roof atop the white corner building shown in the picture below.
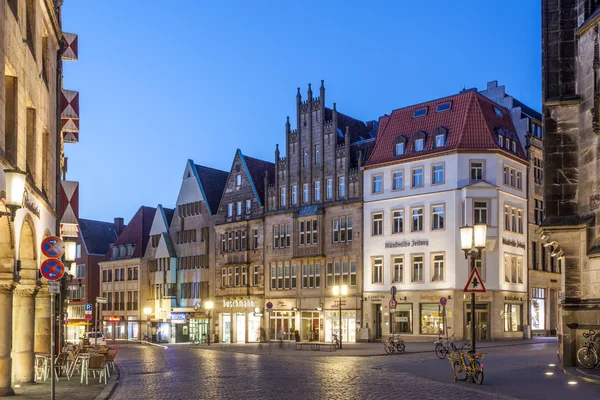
(471, 123)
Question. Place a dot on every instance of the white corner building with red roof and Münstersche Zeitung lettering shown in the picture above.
(437, 166)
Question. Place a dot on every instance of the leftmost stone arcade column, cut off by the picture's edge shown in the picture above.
(6, 289)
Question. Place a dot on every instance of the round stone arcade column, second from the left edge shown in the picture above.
(23, 328)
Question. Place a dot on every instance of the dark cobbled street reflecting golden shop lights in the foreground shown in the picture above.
(194, 372)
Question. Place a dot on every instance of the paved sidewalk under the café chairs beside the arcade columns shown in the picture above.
(70, 389)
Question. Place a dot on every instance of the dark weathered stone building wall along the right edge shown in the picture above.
(571, 124)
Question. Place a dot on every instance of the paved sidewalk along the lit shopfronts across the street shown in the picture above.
(351, 349)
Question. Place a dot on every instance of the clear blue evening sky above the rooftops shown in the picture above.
(161, 82)
